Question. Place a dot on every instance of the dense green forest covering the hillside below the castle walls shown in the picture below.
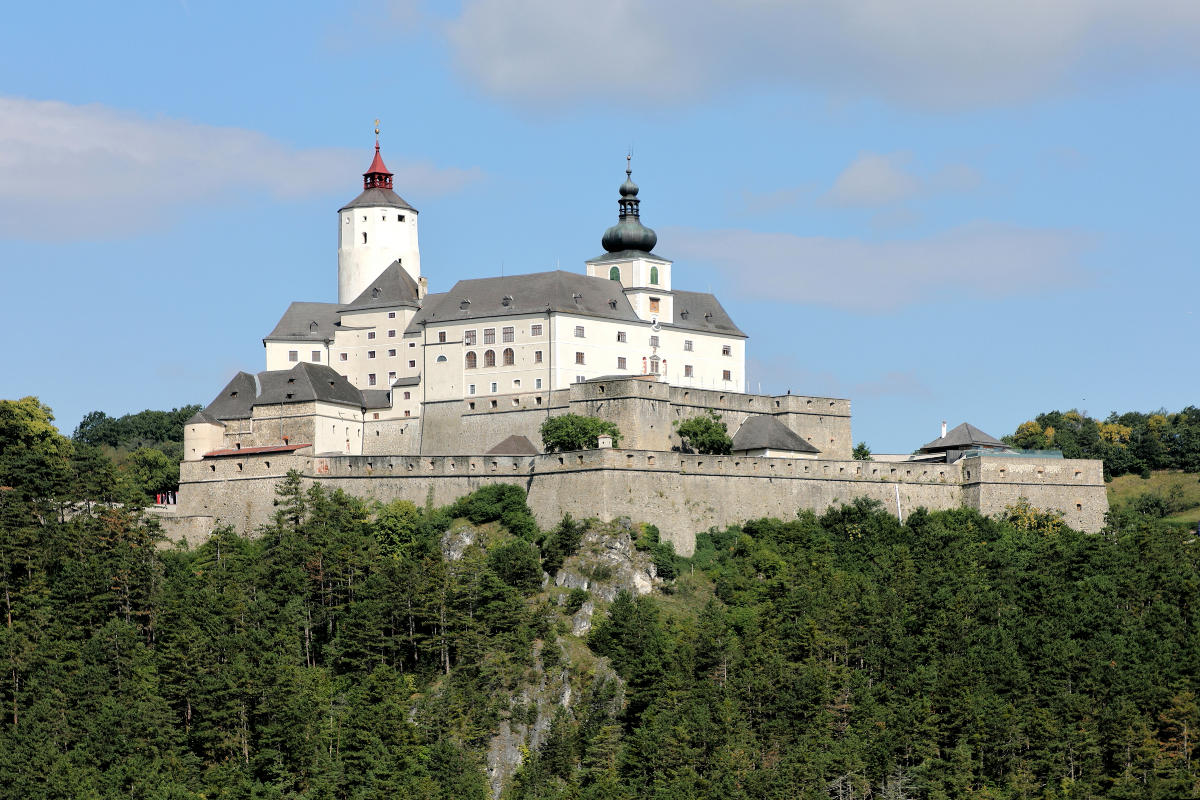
(346, 652)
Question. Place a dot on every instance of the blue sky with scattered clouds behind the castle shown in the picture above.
(969, 212)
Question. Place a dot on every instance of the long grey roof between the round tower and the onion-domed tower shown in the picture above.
(535, 293)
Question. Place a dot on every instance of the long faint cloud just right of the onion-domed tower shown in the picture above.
(965, 264)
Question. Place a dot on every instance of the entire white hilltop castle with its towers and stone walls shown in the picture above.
(399, 393)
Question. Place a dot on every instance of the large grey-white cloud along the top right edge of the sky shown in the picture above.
(925, 52)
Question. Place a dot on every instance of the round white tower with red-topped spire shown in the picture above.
(375, 230)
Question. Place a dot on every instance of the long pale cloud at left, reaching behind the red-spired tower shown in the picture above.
(86, 171)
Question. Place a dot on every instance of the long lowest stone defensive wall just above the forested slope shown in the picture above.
(681, 494)
